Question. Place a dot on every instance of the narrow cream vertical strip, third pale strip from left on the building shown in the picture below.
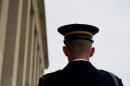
(27, 40)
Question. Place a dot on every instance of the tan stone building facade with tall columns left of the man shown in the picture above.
(23, 42)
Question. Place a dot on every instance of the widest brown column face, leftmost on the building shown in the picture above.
(10, 39)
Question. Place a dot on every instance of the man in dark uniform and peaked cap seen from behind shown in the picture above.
(78, 39)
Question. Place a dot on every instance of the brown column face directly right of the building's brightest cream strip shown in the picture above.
(23, 45)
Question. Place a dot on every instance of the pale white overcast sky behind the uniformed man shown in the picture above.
(112, 43)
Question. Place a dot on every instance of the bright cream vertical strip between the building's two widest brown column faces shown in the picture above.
(17, 44)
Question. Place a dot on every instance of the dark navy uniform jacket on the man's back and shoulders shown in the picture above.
(78, 73)
